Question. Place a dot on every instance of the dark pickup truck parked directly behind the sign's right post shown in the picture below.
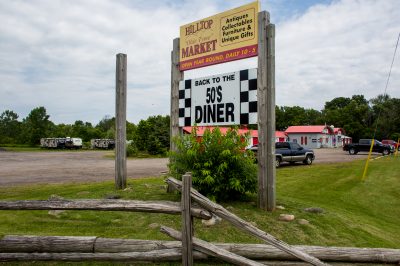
(290, 152)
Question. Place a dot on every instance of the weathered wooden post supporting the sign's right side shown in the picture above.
(266, 114)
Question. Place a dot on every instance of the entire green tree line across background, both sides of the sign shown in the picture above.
(356, 115)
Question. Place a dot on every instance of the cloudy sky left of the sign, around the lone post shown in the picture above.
(61, 55)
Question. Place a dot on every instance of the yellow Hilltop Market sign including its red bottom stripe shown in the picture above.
(221, 38)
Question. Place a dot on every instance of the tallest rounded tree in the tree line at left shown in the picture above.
(36, 125)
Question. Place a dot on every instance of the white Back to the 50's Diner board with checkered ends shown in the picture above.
(225, 99)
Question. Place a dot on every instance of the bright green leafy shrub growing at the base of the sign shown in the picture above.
(221, 167)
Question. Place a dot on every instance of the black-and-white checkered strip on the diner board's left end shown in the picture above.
(185, 103)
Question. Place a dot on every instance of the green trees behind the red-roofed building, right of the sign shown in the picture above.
(360, 118)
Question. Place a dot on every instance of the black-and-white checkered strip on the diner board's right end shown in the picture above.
(248, 96)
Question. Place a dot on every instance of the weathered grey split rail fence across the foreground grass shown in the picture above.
(187, 248)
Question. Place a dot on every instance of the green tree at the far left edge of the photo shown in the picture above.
(10, 127)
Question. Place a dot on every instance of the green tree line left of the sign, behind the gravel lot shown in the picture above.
(150, 135)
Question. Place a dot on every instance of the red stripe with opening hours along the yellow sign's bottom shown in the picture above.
(223, 57)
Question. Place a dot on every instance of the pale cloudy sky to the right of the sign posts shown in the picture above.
(337, 50)
